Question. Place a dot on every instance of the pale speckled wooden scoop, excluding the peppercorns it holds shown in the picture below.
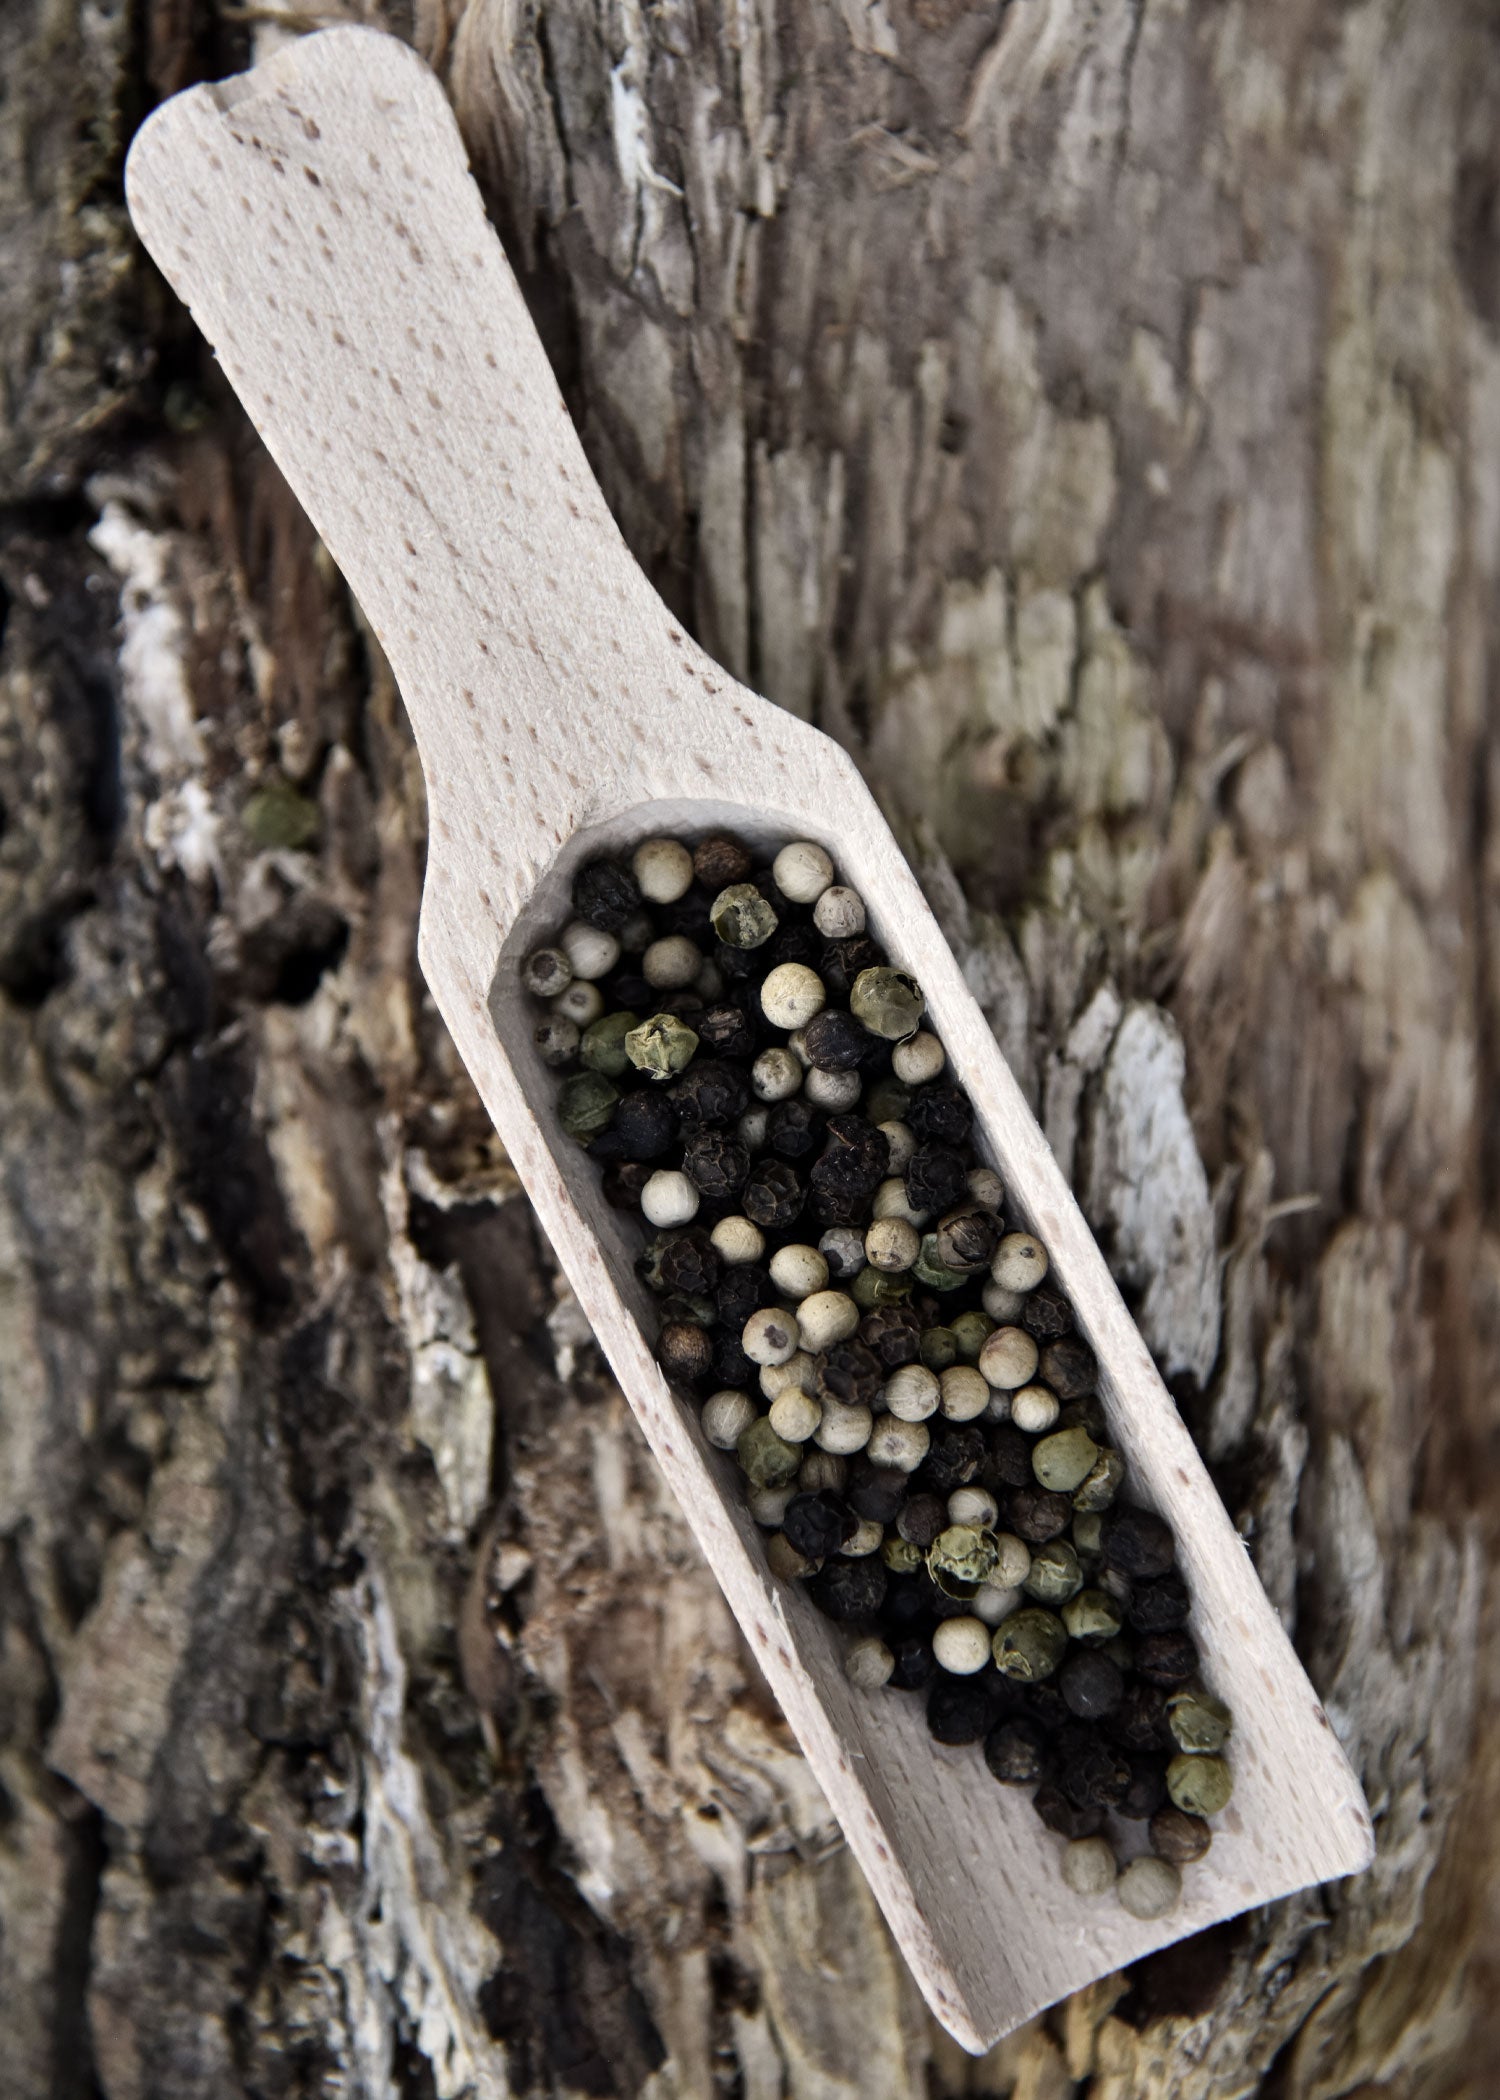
(320, 219)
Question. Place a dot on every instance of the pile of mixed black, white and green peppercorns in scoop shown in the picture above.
(877, 1343)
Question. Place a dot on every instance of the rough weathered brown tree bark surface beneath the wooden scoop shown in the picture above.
(1091, 415)
